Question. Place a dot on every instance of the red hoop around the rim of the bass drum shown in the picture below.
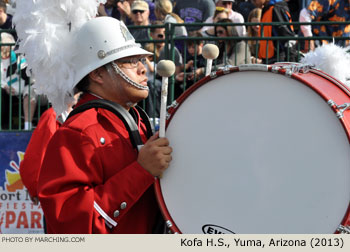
(263, 68)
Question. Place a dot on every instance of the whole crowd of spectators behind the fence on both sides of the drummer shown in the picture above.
(237, 19)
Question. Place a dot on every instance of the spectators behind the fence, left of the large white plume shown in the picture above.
(16, 88)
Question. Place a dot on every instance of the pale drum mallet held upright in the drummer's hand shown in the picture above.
(165, 68)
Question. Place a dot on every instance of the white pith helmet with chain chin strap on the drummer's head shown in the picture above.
(100, 41)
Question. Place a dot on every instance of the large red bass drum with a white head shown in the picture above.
(259, 149)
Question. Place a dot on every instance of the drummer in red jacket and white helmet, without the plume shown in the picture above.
(92, 180)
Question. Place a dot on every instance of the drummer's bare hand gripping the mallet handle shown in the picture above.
(155, 155)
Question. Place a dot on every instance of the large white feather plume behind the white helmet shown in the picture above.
(46, 30)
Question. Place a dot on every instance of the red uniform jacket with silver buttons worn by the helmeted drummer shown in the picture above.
(90, 181)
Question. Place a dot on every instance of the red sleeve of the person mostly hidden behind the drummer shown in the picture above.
(34, 155)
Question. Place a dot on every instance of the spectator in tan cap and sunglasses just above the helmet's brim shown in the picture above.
(140, 17)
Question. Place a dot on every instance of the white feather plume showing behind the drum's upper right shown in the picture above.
(331, 59)
